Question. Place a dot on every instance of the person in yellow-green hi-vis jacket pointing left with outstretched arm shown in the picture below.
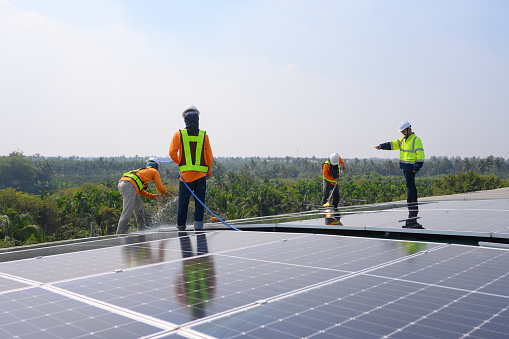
(411, 159)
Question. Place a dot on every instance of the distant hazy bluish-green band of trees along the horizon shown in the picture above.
(34, 174)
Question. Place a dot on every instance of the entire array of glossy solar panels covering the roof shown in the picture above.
(254, 284)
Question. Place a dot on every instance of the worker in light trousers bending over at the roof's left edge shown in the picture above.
(131, 186)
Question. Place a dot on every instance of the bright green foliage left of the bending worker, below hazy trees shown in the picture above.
(59, 215)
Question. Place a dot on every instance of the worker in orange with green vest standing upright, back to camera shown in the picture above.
(190, 150)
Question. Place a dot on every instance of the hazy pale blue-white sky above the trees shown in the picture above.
(270, 77)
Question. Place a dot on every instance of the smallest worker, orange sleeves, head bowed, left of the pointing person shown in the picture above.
(331, 171)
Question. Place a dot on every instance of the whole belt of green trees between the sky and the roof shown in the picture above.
(46, 199)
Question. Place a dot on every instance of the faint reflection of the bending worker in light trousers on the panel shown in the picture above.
(141, 253)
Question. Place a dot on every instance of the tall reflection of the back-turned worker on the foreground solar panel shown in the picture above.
(195, 286)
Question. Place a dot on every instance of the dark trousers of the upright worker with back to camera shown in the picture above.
(198, 187)
